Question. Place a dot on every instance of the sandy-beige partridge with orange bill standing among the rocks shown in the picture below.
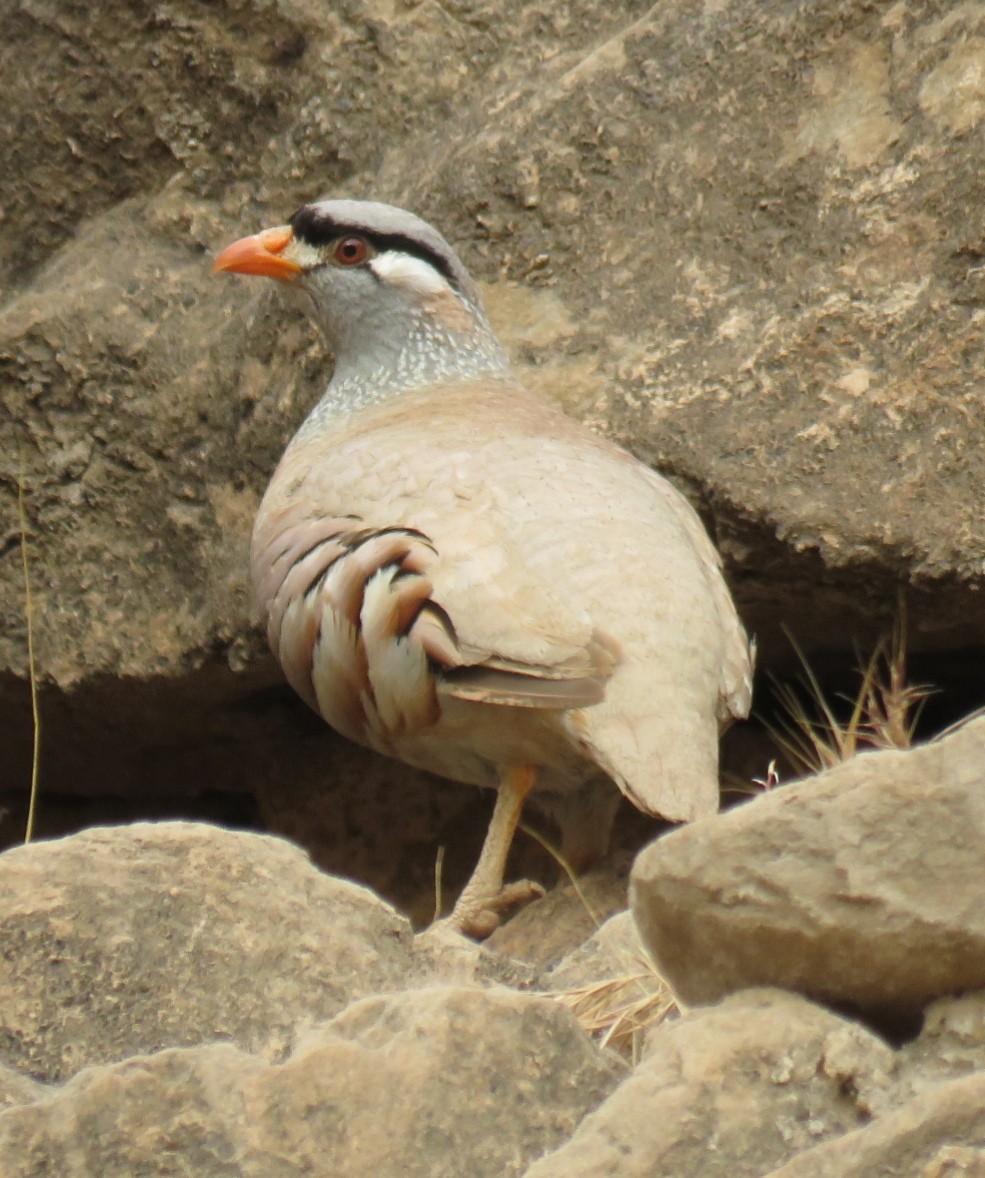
(457, 574)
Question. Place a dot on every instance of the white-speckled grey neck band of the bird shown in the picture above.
(427, 355)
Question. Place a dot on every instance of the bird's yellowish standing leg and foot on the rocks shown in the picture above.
(485, 897)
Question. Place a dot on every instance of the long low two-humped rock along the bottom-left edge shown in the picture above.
(434, 1083)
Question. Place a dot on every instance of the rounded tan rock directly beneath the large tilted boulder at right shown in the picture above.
(732, 1091)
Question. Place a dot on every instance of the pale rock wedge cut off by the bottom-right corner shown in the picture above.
(938, 1135)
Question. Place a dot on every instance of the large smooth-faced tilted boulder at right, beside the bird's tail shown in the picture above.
(862, 888)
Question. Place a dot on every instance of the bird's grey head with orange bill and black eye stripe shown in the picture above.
(386, 287)
